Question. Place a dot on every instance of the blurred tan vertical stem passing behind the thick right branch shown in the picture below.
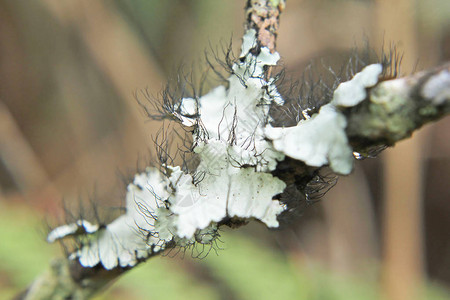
(402, 268)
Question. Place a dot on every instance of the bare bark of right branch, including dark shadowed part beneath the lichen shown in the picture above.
(392, 111)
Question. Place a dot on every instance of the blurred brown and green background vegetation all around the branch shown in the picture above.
(69, 123)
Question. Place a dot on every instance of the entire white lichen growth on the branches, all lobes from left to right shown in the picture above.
(237, 151)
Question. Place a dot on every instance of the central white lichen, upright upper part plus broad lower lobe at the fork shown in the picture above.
(233, 121)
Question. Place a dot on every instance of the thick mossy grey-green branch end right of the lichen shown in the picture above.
(395, 108)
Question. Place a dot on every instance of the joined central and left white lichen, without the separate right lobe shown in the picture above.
(235, 159)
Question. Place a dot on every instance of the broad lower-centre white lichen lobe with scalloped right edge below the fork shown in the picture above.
(225, 191)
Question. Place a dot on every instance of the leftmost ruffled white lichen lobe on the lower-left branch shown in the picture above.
(129, 238)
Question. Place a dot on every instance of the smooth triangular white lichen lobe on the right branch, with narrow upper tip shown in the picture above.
(321, 139)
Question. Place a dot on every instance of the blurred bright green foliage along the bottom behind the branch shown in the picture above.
(246, 269)
